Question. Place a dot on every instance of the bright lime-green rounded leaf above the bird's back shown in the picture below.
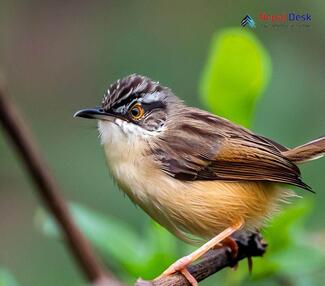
(235, 75)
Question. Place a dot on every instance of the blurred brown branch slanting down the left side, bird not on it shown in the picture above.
(48, 191)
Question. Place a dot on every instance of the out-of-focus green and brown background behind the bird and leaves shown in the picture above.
(59, 57)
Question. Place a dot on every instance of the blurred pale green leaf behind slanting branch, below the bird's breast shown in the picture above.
(118, 243)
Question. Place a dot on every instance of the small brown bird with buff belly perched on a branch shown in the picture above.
(196, 174)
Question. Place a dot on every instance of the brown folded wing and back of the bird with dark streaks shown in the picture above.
(212, 148)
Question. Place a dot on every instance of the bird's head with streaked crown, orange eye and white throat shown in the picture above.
(133, 108)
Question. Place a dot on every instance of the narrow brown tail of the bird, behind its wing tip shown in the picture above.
(307, 152)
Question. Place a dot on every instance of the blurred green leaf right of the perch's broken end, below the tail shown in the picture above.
(290, 251)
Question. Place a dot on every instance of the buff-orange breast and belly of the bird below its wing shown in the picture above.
(199, 208)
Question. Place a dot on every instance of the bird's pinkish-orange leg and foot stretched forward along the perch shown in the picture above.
(181, 264)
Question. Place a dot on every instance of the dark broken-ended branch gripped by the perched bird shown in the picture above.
(250, 244)
